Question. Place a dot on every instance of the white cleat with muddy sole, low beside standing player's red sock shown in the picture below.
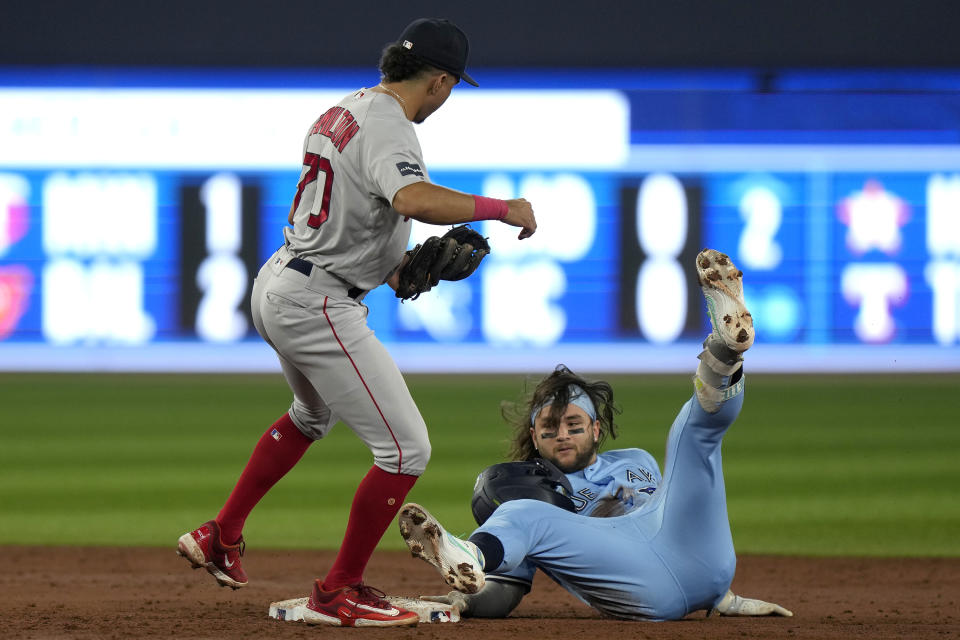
(460, 562)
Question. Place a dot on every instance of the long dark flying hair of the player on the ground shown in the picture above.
(557, 385)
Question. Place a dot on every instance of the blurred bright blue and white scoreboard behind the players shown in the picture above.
(136, 208)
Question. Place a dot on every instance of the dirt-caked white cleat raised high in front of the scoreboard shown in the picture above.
(722, 286)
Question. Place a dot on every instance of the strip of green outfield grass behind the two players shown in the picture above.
(851, 465)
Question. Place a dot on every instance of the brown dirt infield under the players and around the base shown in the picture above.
(151, 593)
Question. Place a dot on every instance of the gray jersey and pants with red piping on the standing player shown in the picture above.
(346, 239)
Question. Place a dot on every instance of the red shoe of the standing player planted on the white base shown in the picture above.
(355, 606)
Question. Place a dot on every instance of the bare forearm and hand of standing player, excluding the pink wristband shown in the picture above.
(434, 204)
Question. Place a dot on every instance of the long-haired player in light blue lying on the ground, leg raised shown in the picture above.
(657, 548)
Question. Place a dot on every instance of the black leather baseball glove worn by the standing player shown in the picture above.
(452, 257)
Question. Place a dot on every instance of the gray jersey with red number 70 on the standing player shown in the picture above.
(357, 155)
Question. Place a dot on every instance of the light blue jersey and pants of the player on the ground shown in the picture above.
(669, 555)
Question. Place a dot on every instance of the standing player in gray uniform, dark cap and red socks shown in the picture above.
(363, 180)
